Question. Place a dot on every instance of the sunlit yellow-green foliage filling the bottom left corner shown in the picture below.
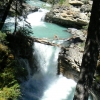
(10, 88)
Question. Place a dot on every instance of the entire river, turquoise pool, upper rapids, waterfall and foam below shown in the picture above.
(45, 84)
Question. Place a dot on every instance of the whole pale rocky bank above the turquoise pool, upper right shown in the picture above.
(74, 14)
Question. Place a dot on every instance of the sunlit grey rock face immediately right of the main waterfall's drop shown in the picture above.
(69, 62)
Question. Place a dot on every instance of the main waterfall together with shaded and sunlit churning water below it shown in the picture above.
(46, 84)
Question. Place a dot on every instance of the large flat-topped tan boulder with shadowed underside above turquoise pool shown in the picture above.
(67, 16)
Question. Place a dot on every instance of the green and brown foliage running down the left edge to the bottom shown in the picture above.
(9, 86)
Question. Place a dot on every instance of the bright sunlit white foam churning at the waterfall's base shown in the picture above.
(61, 89)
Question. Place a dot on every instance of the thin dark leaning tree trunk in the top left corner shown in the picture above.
(5, 14)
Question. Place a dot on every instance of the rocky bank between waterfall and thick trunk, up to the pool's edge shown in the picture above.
(70, 59)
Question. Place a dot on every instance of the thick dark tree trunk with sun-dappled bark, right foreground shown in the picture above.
(90, 55)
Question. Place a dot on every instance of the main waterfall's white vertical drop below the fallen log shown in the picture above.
(46, 58)
